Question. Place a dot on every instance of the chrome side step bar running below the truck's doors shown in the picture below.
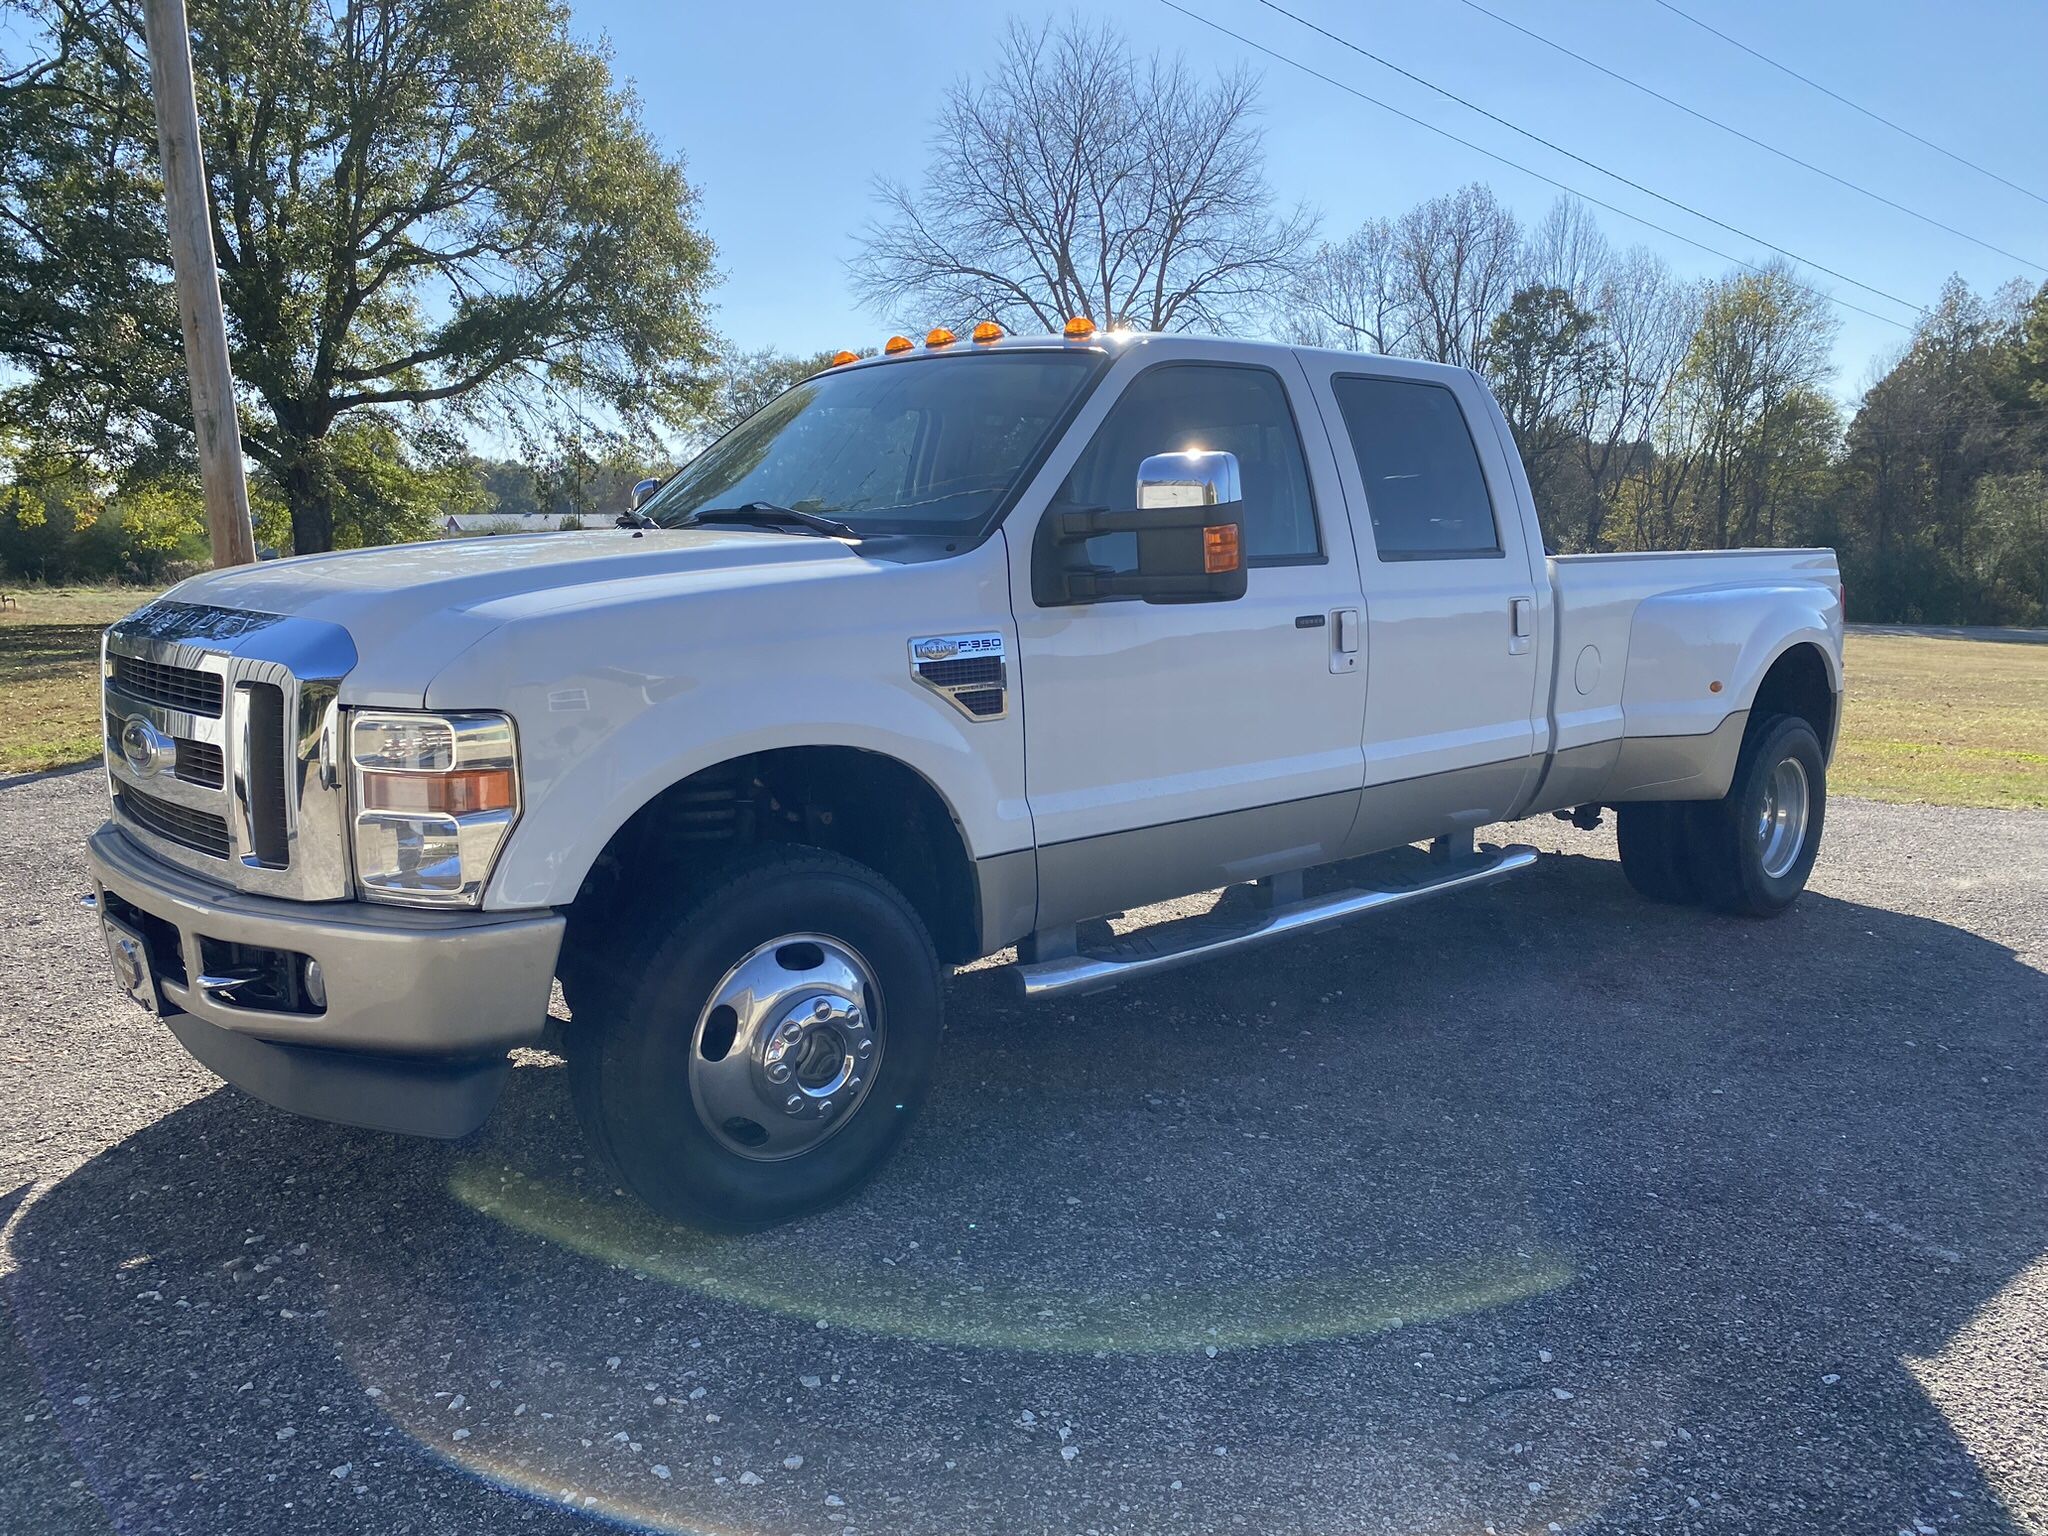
(1152, 951)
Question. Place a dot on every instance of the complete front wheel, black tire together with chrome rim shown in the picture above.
(765, 1046)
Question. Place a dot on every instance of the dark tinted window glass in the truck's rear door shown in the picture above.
(1416, 458)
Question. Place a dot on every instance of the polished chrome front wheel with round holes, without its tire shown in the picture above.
(787, 1048)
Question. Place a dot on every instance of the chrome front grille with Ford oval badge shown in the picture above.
(222, 744)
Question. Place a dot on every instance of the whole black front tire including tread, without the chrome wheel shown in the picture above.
(632, 1058)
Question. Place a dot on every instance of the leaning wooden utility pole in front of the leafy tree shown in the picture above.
(200, 284)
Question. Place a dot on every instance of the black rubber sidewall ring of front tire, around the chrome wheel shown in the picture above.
(654, 1134)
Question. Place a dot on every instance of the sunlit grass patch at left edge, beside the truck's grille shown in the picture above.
(50, 673)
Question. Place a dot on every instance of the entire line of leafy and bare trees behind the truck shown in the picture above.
(441, 220)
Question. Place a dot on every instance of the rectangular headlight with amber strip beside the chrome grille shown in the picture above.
(435, 798)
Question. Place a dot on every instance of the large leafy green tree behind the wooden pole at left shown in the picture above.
(425, 212)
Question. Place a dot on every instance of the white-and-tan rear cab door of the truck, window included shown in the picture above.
(1451, 591)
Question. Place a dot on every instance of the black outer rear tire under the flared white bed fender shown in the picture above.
(1732, 853)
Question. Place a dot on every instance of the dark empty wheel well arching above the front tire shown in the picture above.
(857, 804)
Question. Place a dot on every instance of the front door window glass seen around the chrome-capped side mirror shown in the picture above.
(1181, 407)
